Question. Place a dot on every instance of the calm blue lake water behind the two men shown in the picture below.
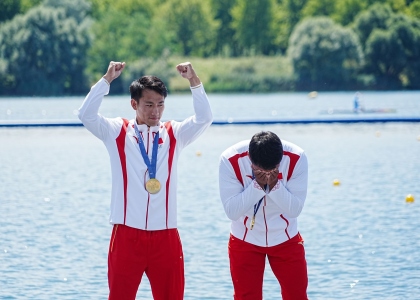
(361, 238)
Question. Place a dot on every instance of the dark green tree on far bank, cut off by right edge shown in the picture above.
(392, 47)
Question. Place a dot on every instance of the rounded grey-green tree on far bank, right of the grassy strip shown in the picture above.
(325, 55)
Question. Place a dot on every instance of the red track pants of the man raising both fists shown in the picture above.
(158, 253)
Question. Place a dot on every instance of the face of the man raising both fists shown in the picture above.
(150, 108)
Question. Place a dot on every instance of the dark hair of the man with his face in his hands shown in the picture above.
(265, 150)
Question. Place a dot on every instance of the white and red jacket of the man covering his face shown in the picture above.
(276, 219)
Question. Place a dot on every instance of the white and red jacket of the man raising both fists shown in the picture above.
(131, 204)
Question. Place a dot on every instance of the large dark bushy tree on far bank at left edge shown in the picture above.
(43, 53)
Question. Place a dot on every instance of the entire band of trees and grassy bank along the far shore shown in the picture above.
(61, 47)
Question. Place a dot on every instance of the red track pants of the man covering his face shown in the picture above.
(287, 260)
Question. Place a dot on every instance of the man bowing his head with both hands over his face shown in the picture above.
(263, 185)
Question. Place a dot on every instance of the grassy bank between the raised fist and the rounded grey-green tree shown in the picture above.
(243, 74)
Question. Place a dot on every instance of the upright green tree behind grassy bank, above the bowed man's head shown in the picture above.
(255, 24)
